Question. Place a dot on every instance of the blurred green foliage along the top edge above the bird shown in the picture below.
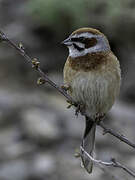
(71, 14)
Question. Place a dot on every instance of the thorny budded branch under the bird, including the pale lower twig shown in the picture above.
(45, 79)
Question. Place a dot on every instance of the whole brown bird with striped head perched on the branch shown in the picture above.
(92, 74)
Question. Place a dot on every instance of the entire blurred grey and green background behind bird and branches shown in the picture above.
(38, 135)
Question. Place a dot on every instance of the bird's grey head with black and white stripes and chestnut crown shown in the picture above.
(86, 40)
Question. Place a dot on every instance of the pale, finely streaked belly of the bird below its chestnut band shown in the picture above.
(96, 92)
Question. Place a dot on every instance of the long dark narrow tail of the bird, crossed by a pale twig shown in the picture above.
(88, 144)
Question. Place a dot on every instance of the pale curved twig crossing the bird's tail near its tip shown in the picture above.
(112, 163)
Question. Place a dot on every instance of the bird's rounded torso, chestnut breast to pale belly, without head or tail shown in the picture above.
(94, 81)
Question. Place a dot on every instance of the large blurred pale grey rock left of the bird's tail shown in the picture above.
(41, 125)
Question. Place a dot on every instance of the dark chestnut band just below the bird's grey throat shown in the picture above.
(88, 62)
